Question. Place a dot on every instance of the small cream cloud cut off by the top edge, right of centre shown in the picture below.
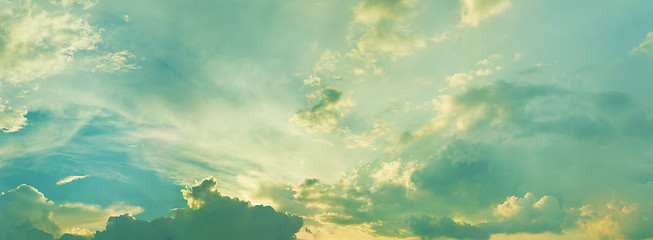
(474, 11)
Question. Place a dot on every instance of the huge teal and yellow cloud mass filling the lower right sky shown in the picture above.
(459, 175)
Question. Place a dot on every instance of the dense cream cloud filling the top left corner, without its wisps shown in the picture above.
(37, 43)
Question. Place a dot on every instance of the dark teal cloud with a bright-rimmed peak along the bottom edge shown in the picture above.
(209, 216)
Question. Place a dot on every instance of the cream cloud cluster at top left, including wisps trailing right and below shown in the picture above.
(40, 39)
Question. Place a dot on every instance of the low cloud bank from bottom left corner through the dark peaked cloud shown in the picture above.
(26, 214)
